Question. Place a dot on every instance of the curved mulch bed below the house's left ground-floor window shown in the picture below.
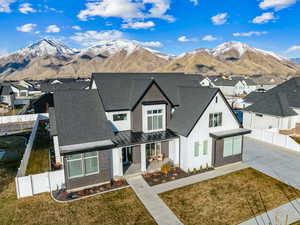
(63, 195)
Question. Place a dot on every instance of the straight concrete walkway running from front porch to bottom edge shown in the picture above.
(156, 207)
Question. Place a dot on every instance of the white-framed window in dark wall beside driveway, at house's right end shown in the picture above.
(232, 146)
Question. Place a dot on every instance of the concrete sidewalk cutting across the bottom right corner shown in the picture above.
(285, 214)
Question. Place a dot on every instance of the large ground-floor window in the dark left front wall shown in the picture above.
(83, 164)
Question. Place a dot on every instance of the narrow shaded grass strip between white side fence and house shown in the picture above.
(39, 157)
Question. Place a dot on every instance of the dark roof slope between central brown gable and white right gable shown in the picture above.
(194, 102)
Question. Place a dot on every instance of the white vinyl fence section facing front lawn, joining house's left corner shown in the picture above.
(39, 183)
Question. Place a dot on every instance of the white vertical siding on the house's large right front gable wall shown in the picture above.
(201, 133)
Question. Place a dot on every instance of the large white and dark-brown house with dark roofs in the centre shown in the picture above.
(134, 123)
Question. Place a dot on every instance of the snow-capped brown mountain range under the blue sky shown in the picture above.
(50, 58)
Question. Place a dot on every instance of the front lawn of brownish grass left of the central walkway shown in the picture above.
(113, 208)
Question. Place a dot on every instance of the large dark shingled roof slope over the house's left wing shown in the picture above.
(80, 117)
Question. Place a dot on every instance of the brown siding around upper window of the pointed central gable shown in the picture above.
(153, 94)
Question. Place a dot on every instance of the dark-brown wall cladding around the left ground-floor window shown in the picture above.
(105, 172)
